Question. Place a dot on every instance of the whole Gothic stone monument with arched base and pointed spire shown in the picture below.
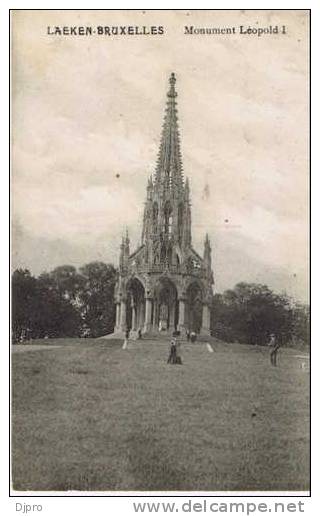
(164, 285)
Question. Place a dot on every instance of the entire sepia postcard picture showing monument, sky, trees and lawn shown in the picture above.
(160, 305)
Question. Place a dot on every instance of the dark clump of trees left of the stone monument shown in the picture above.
(65, 302)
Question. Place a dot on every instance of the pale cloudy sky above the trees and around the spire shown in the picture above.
(87, 116)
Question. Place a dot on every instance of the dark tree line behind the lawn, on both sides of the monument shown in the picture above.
(67, 302)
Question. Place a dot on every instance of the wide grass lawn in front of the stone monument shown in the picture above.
(87, 415)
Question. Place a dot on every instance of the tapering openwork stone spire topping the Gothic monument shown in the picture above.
(169, 165)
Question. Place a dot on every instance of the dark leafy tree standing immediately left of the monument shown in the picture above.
(97, 297)
